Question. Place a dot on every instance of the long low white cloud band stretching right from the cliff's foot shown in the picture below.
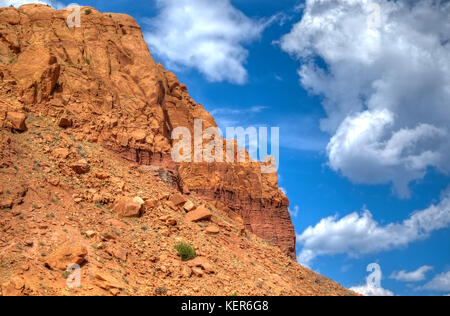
(359, 233)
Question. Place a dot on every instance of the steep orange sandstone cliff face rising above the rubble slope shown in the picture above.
(101, 80)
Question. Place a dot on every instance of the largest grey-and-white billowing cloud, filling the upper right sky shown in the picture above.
(384, 82)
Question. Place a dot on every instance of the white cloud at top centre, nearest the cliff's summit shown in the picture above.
(207, 35)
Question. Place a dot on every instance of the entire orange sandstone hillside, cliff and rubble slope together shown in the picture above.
(87, 177)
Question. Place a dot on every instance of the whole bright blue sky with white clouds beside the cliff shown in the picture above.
(322, 85)
